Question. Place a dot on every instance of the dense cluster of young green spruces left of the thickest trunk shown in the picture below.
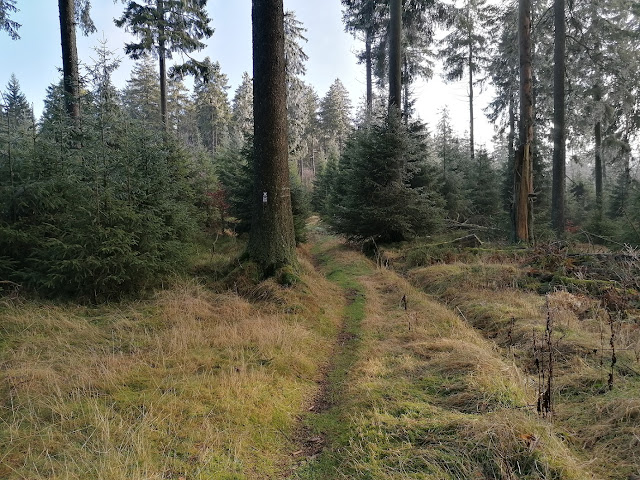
(100, 215)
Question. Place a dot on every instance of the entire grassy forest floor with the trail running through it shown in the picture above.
(429, 363)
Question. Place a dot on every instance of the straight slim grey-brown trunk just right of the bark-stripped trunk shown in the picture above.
(559, 147)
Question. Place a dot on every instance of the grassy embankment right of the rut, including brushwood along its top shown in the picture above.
(498, 295)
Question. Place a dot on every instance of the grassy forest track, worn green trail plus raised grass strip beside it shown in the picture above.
(414, 392)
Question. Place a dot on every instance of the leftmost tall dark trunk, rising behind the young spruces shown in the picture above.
(69, 58)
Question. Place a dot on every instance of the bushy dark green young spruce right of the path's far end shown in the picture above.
(382, 188)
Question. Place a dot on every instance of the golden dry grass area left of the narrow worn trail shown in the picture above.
(191, 384)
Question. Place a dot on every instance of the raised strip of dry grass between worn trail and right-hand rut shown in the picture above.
(431, 399)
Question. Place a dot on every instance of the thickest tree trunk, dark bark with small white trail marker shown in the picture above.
(272, 238)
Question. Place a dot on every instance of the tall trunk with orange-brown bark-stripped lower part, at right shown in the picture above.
(523, 168)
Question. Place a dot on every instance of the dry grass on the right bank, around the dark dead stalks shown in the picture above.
(508, 317)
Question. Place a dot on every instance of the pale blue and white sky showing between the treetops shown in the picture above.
(36, 59)
